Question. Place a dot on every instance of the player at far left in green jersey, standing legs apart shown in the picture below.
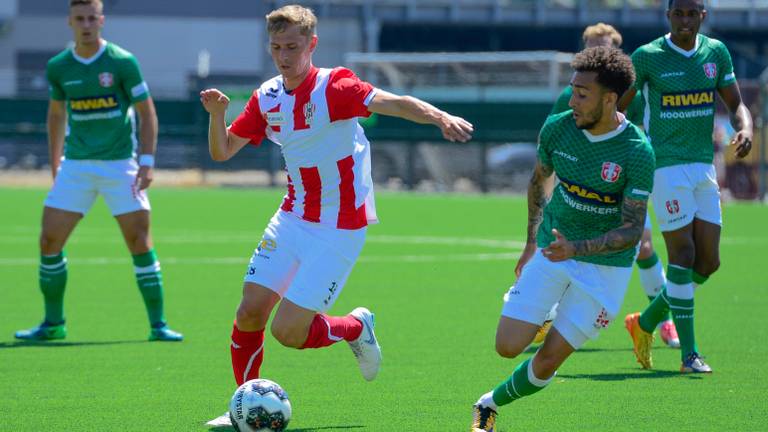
(94, 88)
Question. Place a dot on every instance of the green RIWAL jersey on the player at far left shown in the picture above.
(98, 92)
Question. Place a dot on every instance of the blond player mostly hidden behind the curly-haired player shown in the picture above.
(651, 270)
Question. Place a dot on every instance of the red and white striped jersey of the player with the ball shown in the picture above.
(326, 153)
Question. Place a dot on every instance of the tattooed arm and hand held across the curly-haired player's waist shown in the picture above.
(633, 214)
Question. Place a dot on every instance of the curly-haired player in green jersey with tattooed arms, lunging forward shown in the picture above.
(582, 242)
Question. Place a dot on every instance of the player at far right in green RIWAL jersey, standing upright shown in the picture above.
(679, 75)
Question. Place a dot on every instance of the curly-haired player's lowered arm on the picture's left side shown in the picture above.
(539, 191)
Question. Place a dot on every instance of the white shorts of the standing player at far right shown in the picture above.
(684, 192)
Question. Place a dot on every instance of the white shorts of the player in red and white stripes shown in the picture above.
(305, 262)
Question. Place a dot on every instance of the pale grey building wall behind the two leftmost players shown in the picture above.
(168, 49)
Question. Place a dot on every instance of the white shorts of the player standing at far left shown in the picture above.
(79, 182)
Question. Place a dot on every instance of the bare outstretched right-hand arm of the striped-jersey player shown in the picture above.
(454, 128)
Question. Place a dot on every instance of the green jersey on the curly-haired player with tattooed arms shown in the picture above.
(595, 174)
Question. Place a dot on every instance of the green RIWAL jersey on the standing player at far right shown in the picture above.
(679, 88)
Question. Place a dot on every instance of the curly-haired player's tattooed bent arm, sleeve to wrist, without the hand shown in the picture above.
(626, 236)
